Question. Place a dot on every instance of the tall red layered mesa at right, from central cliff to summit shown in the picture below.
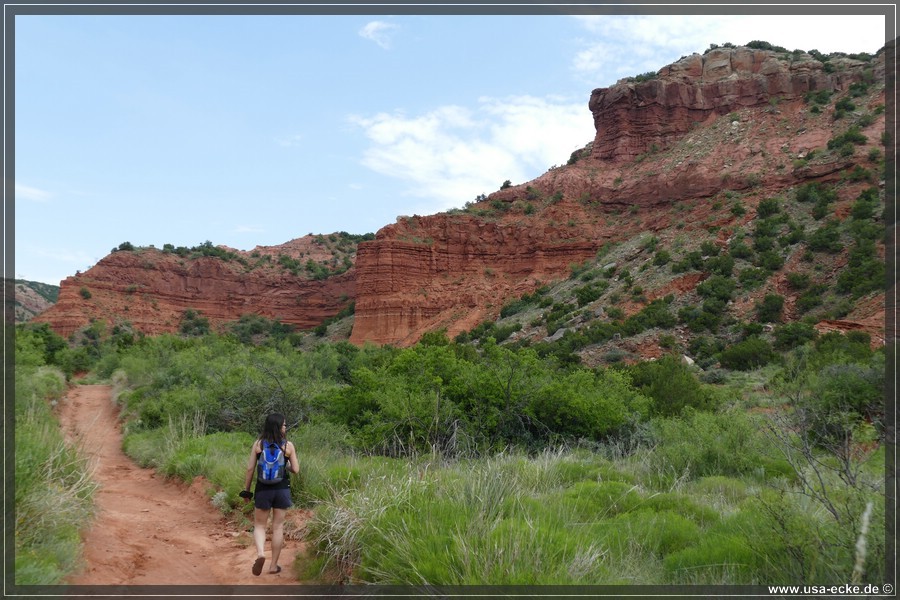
(733, 119)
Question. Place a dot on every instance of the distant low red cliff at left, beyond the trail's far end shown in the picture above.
(151, 290)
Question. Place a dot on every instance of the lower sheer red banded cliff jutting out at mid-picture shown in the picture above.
(456, 278)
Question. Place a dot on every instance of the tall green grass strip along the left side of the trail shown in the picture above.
(54, 489)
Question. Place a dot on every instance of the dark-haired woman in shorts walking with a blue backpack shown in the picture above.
(272, 457)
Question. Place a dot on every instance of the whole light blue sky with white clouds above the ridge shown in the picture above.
(255, 130)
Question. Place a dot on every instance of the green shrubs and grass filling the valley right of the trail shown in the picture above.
(530, 470)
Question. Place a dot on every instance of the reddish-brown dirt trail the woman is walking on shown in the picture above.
(153, 531)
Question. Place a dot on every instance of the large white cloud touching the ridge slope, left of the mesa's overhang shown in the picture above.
(452, 154)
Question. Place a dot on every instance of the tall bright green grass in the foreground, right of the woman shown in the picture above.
(572, 518)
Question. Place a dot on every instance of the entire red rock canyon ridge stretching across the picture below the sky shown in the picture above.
(671, 156)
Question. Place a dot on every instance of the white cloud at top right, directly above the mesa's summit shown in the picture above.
(619, 46)
